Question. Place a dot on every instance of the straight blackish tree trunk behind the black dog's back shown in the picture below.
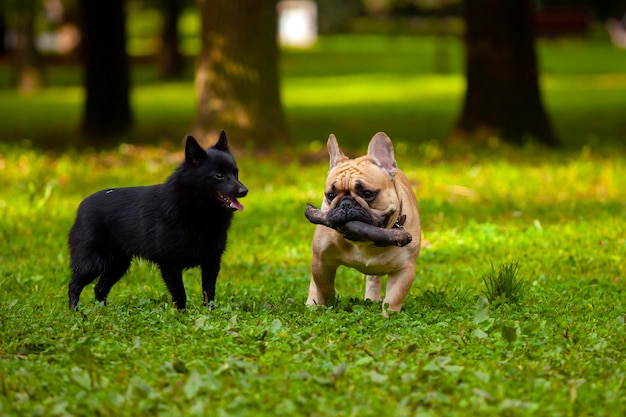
(107, 113)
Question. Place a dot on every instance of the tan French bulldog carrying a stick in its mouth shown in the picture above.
(369, 189)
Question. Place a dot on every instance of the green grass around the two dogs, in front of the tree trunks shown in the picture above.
(558, 351)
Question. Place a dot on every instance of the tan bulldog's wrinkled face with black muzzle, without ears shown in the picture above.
(359, 190)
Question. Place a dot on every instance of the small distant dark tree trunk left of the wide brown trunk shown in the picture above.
(171, 59)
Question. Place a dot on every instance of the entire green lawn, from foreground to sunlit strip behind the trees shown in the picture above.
(557, 348)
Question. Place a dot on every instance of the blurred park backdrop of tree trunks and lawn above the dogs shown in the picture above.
(284, 75)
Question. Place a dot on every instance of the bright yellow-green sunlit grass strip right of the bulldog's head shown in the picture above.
(521, 183)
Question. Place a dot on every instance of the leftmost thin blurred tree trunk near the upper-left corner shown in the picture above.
(27, 61)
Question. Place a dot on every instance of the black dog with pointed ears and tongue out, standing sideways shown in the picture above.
(180, 224)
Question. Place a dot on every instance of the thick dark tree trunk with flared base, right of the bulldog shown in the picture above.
(503, 98)
